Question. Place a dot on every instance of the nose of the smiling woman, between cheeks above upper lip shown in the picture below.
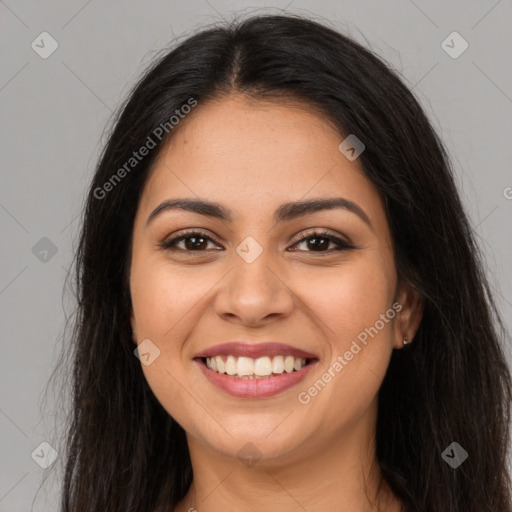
(254, 293)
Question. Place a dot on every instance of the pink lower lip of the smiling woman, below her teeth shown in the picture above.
(255, 388)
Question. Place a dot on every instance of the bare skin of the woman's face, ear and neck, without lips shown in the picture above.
(251, 157)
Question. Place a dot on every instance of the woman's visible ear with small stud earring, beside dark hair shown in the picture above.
(409, 316)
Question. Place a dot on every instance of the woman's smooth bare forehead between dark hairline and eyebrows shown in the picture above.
(248, 154)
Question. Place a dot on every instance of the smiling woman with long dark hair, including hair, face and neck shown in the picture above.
(281, 303)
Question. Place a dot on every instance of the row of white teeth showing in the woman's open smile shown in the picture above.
(246, 367)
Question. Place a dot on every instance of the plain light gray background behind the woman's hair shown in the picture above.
(54, 111)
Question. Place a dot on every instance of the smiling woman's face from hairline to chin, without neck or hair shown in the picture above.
(256, 279)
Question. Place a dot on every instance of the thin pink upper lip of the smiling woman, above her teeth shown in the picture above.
(254, 350)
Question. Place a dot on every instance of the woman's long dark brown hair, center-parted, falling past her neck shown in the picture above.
(124, 452)
